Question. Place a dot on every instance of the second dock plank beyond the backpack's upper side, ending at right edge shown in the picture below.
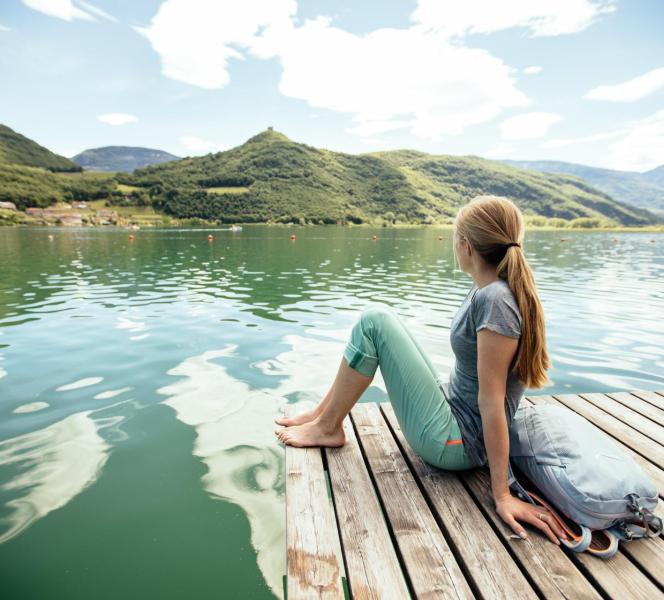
(629, 436)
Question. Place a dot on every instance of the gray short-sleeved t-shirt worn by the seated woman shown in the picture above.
(493, 307)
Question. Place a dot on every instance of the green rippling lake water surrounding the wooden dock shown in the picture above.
(139, 382)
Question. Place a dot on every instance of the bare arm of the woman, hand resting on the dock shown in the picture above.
(494, 355)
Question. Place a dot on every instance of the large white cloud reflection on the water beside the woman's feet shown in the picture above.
(235, 427)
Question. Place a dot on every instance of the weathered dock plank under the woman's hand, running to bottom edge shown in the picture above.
(552, 571)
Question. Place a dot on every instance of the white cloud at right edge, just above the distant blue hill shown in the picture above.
(642, 146)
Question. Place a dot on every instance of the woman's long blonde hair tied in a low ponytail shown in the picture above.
(490, 223)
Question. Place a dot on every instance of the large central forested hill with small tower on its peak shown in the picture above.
(272, 177)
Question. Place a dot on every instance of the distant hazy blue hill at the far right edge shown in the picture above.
(645, 190)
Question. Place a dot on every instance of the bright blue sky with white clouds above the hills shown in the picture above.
(574, 80)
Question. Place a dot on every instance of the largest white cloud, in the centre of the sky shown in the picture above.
(390, 78)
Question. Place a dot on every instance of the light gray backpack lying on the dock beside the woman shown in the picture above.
(581, 470)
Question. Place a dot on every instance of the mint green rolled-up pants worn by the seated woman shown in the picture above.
(380, 338)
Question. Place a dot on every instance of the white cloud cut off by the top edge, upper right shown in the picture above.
(540, 17)
